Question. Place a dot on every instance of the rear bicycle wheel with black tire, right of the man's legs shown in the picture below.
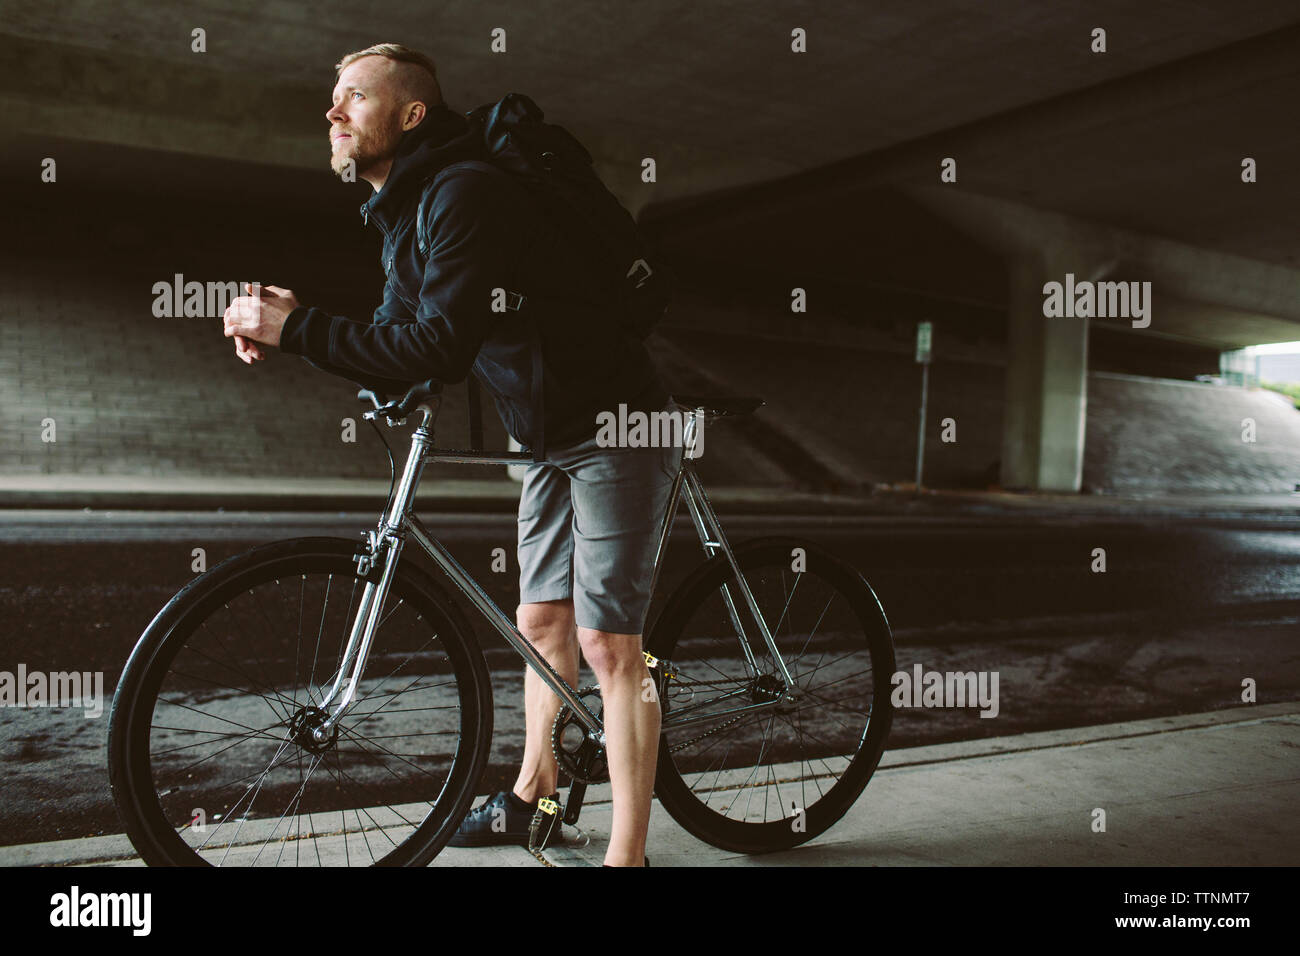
(701, 788)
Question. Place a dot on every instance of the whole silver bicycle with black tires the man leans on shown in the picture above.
(227, 750)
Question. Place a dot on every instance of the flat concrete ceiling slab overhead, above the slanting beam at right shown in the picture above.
(712, 89)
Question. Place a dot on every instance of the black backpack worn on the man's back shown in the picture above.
(557, 172)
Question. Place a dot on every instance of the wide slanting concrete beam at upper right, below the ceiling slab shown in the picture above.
(1158, 153)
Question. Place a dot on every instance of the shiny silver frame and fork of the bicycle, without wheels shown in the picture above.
(389, 540)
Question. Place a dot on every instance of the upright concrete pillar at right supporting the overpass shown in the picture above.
(1047, 380)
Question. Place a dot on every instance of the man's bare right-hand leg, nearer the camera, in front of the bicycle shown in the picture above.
(631, 737)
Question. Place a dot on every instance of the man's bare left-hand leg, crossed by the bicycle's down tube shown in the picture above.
(549, 626)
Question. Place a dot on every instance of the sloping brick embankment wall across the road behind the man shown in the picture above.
(132, 395)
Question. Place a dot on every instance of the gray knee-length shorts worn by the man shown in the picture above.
(590, 521)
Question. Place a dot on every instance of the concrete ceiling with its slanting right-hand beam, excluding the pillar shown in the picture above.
(749, 137)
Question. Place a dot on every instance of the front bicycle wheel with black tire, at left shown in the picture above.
(158, 784)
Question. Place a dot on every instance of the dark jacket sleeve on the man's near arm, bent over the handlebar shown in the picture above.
(476, 241)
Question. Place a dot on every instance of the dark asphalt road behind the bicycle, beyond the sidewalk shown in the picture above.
(1184, 613)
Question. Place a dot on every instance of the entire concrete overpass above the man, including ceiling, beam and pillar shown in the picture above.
(775, 170)
